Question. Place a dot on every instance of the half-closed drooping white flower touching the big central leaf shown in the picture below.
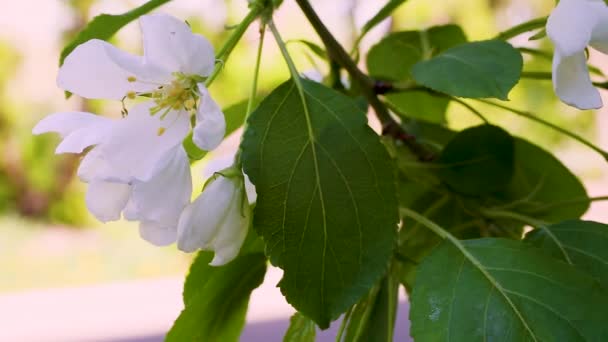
(218, 220)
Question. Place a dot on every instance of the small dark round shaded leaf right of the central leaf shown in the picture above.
(478, 160)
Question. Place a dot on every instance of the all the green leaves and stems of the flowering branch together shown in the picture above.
(330, 191)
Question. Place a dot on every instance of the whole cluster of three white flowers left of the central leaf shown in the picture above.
(136, 167)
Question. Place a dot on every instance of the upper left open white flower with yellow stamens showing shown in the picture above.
(174, 62)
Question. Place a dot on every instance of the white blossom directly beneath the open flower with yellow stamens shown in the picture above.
(131, 169)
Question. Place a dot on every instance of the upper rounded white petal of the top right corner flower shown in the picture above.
(570, 26)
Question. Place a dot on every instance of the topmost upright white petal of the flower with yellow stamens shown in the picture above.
(170, 43)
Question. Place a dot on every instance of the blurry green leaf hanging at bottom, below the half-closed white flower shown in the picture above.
(216, 298)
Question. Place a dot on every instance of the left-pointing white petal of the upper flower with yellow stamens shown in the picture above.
(92, 71)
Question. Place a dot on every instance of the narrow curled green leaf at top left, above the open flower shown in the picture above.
(104, 26)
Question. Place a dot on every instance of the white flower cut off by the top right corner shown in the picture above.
(572, 26)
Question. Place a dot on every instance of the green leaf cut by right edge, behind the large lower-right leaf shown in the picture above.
(583, 243)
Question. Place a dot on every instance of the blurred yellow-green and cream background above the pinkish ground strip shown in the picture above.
(47, 238)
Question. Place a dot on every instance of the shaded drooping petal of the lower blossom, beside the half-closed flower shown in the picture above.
(164, 196)
